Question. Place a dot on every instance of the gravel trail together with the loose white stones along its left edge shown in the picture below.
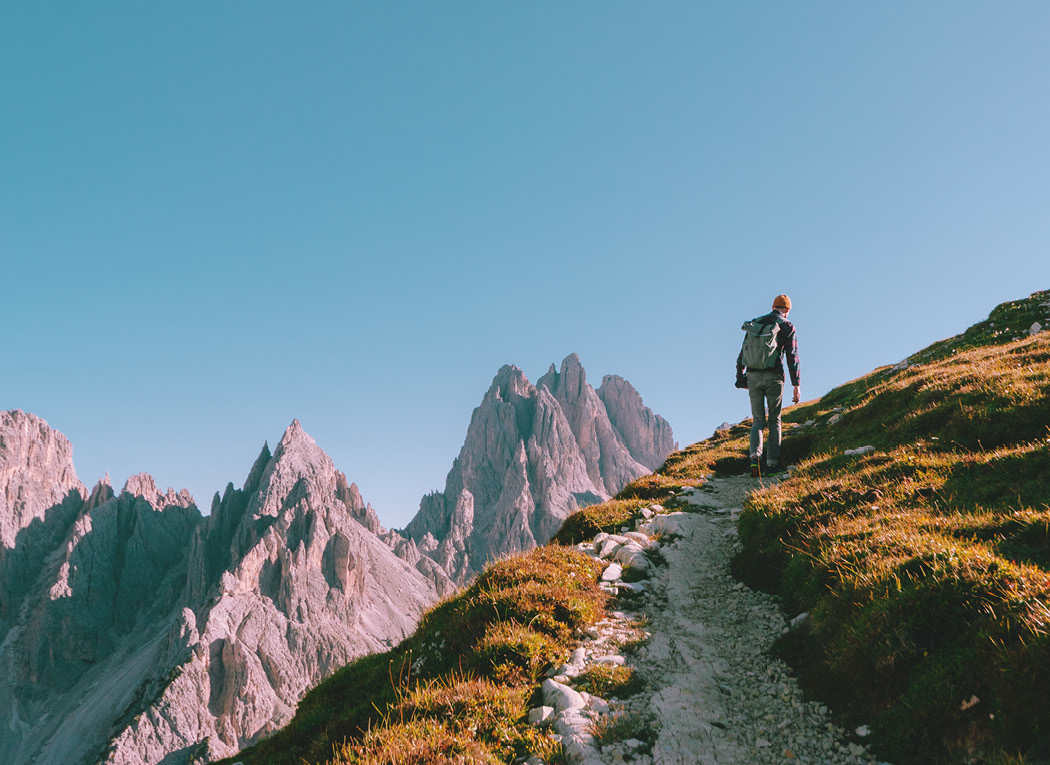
(715, 692)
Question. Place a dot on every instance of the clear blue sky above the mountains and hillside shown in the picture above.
(216, 218)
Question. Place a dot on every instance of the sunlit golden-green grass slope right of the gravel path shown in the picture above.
(926, 566)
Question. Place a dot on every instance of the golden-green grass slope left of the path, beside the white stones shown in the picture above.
(458, 690)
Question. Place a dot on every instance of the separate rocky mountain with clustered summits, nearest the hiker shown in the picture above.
(533, 456)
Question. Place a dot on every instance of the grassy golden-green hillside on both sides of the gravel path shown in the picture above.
(925, 565)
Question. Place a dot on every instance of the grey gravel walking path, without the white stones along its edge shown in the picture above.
(722, 697)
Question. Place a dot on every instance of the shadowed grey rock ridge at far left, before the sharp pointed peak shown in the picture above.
(85, 639)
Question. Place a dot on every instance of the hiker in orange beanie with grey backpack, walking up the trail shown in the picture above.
(760, 369)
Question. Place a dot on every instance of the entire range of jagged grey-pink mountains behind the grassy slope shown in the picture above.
(134, 630)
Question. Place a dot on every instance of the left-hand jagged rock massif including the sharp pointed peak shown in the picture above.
(152, 634)
